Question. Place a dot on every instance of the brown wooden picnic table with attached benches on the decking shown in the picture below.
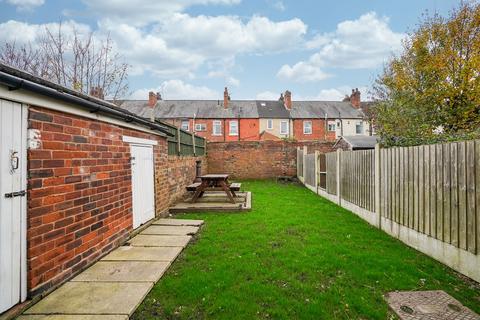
(214, 182)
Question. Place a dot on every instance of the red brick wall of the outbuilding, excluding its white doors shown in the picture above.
(79, 192)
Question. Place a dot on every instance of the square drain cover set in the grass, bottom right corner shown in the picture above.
(428, 305)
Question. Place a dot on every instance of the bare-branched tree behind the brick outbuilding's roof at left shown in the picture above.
(77, 61)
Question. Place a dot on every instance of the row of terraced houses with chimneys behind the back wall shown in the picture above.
(256, 120)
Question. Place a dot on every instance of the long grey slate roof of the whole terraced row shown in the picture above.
(213, 109)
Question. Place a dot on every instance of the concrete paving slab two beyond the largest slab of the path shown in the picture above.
(128, 253)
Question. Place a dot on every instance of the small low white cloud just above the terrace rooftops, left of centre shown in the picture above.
(177, 89)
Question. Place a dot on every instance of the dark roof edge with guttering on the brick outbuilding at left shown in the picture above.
(16, 79)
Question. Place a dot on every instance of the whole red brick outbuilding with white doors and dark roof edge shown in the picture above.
(69, 183)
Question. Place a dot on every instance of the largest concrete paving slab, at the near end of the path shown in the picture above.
(93, 298)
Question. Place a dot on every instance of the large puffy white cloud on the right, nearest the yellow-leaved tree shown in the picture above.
(356, 44)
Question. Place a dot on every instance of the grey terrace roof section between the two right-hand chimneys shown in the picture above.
(324, 109)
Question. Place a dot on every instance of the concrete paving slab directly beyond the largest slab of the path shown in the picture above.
(124, 271)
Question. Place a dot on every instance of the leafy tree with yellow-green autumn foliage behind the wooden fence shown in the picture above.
(431, 91)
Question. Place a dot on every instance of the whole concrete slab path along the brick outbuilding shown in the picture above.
(114, 287)
